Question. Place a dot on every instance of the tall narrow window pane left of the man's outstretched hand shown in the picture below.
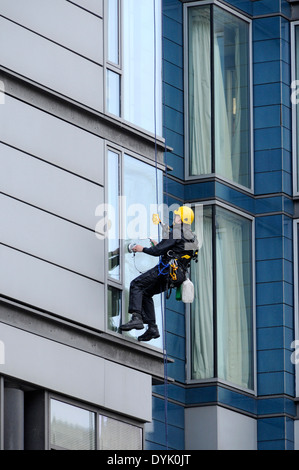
(113, 215)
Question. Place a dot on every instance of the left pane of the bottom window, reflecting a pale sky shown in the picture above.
(72, 428)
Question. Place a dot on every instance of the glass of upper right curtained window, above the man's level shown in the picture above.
(219, 134)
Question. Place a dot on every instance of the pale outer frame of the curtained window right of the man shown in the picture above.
(217, 380)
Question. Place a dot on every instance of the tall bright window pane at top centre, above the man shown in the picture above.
(142, 64)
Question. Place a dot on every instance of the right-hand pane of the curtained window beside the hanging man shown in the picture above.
(234, 298)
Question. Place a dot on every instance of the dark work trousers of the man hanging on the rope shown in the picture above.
(144, 287)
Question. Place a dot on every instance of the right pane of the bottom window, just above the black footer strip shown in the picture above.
(117, 435)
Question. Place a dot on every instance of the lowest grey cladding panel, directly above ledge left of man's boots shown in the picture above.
(46, 286)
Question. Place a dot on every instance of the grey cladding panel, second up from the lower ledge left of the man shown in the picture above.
(51, 238)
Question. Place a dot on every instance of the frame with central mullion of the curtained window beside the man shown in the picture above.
(217, 380)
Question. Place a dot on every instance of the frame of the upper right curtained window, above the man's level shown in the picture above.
(213, 174)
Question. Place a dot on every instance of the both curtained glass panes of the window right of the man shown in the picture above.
(221, 316)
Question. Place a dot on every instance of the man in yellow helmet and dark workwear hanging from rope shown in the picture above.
(175, 251)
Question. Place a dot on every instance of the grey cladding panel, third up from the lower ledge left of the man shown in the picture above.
(50, 188)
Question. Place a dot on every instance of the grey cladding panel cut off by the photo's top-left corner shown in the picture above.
(61, 22)
